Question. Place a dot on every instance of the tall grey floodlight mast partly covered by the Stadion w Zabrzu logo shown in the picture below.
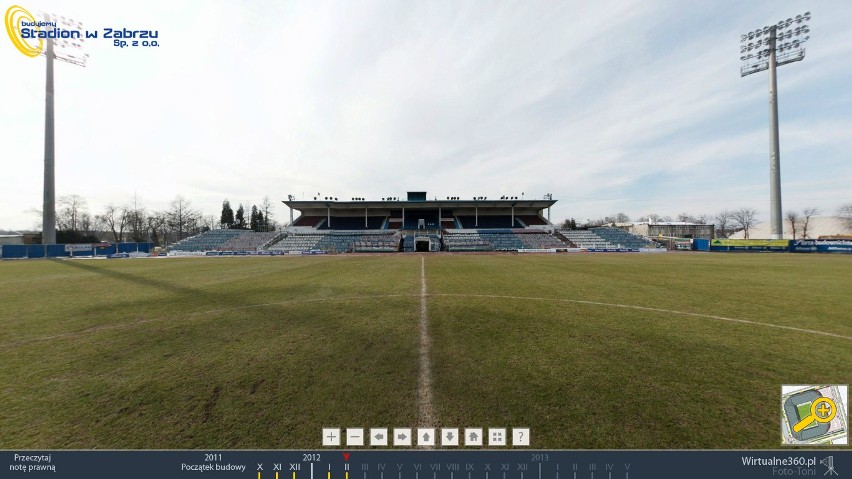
(66, 54)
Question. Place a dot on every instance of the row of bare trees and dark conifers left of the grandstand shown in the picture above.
(132, 221)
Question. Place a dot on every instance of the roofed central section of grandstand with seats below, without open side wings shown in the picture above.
(417, 223)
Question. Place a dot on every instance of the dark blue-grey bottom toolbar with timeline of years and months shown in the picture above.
(426, 464)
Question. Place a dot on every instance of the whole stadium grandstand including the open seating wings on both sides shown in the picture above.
(326, 225)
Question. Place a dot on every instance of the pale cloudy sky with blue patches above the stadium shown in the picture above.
(633, 106)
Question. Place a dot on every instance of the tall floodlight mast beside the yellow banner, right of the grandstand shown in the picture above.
(796, 53)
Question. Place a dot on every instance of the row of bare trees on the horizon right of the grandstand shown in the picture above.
(727, 222)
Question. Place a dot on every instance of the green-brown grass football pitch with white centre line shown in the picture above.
(589, 351)
